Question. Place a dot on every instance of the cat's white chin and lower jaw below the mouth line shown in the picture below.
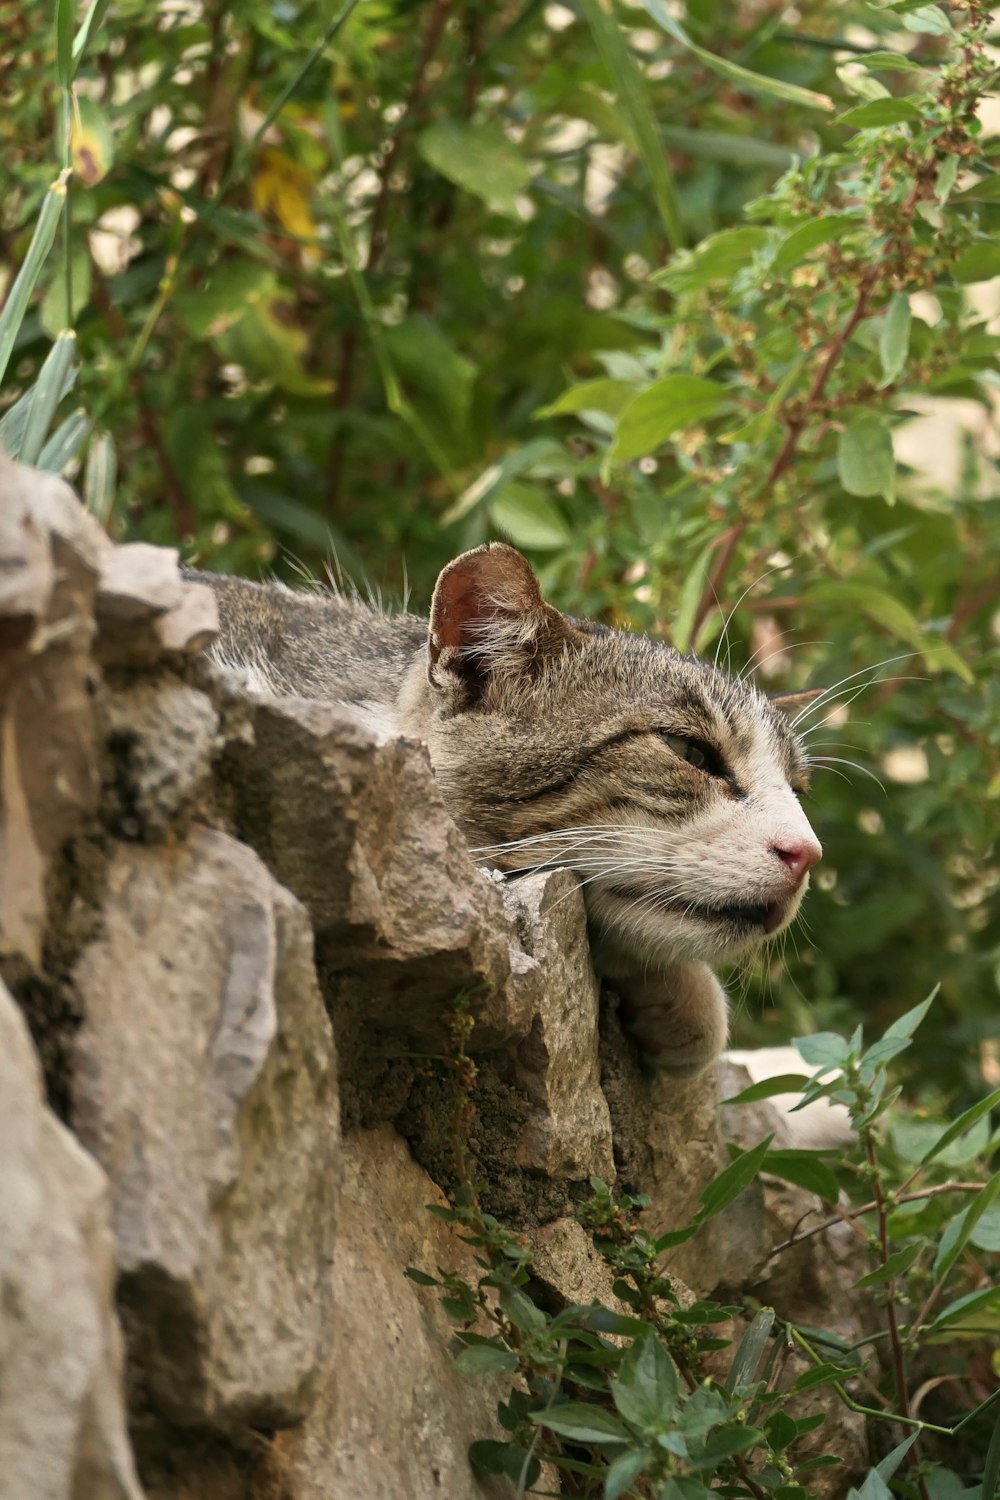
(638, 931)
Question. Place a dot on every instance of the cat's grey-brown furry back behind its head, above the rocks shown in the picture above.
(313, 643)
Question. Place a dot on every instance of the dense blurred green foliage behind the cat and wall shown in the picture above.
(653, 290)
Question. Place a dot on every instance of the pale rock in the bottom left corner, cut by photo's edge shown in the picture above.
(62, 1412)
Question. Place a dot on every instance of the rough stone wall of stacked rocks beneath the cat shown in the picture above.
(233, 932)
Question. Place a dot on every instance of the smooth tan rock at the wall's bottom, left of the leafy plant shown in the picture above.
(394, 1418)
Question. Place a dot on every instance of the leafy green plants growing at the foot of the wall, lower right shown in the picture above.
(662, 1403)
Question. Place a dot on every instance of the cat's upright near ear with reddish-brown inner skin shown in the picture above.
(488, 619)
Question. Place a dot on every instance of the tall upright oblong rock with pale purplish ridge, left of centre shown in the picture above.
(205, 1087)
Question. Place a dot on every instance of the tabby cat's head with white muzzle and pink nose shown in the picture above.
(671, 788)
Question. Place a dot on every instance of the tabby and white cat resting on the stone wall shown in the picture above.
(668, 787)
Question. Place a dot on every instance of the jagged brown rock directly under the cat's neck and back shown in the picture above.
(359, 832)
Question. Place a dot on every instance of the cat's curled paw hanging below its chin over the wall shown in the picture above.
(678, 1016)
